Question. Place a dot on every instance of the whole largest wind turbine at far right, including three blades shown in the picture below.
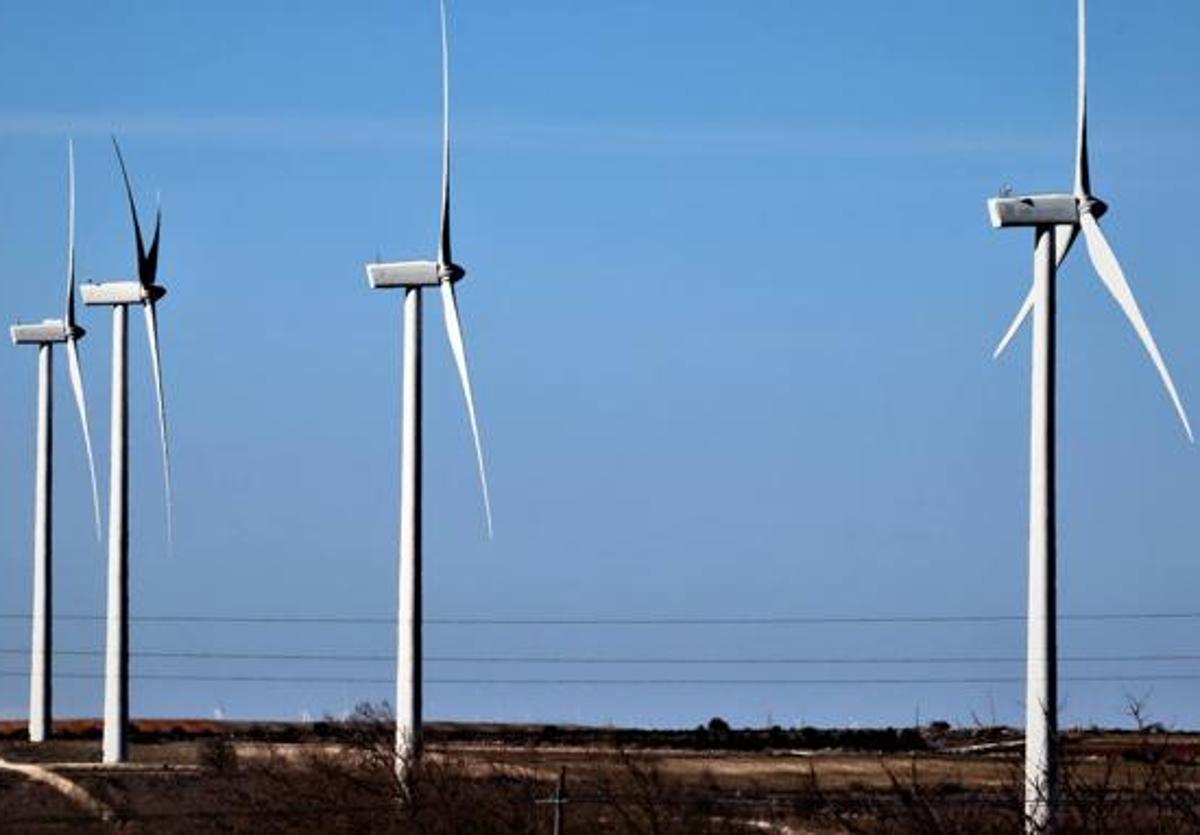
(1058, 220)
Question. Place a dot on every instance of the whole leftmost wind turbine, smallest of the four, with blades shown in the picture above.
(46, 335)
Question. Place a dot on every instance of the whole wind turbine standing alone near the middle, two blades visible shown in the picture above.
(413, 278)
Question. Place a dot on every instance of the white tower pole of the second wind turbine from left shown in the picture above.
(117, 659)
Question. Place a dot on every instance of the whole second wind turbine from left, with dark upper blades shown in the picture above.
(119, 296)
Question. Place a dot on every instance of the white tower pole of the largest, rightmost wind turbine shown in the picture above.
(1042, 676)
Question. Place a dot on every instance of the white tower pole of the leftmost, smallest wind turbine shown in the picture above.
(40, 680)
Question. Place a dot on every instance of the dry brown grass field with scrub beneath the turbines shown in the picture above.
(190, 777)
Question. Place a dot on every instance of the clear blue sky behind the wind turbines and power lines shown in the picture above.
(731, 304)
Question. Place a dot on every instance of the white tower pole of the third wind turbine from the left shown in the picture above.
(409, 650)
